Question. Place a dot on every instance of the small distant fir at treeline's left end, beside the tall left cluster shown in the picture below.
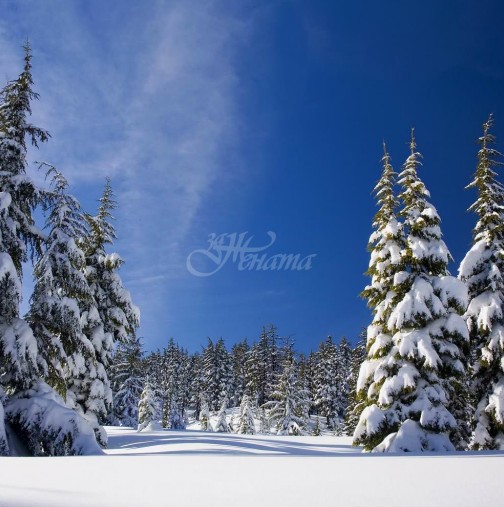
(127, 379)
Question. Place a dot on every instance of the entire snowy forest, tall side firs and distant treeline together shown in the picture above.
(426, 374)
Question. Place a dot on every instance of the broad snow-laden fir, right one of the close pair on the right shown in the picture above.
(415, 354)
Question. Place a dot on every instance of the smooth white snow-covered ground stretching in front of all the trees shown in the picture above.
(192, 468)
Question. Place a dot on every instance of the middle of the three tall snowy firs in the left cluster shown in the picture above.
(60, 285)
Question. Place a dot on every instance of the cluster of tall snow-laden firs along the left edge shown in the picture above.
(55, 389)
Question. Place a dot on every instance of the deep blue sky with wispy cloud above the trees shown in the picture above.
(259, 125)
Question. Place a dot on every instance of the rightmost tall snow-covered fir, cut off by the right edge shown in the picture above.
(483, 271)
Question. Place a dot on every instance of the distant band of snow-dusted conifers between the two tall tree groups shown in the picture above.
(267, 378)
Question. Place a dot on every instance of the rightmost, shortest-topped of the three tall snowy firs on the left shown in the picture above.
(110, 318)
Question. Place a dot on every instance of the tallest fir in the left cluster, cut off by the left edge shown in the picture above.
(20, 359)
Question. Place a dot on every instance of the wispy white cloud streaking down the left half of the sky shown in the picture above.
(152, 104)
